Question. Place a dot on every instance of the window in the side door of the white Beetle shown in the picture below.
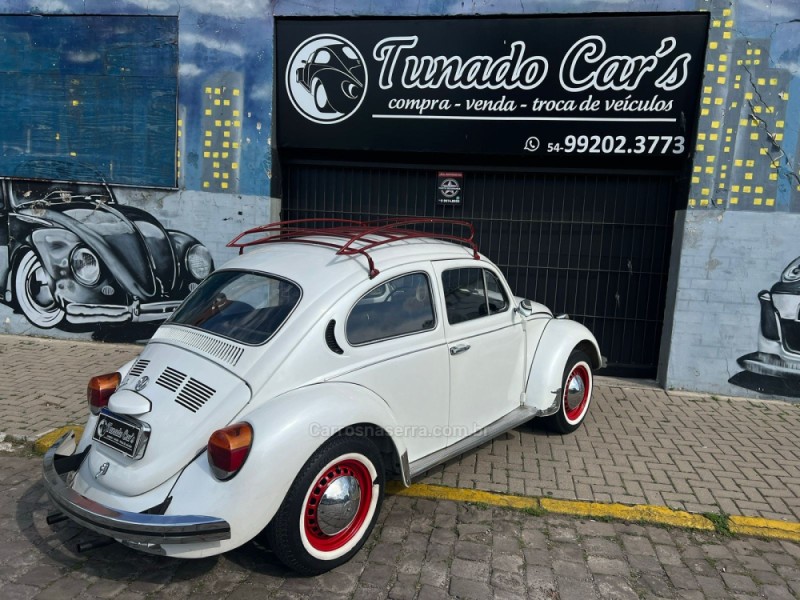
(472, 293)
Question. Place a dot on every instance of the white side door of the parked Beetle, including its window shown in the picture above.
(485, 341)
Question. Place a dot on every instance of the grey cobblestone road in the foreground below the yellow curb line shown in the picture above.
(419, 549)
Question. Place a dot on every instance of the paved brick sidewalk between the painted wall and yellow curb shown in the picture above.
(640, 444)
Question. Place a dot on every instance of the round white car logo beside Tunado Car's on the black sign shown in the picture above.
(326, 79)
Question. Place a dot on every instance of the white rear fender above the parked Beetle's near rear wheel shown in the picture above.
(287, 430)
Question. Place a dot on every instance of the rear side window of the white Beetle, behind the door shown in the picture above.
(398, 307)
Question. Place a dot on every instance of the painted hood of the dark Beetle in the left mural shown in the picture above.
(130, 242)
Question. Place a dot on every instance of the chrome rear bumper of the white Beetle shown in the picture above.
(137, 529)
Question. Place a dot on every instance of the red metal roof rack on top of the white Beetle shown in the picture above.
(344, 234)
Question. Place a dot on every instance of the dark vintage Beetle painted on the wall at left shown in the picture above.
(71, 255)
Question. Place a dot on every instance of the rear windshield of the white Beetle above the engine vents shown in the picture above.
(246, 307)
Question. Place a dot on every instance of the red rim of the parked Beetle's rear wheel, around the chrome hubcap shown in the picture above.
(345, 468)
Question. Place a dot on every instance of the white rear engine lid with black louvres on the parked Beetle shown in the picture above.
(190, 398)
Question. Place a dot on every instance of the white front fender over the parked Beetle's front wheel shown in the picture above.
(559, 338)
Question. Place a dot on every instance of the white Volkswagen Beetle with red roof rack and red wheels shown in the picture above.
(298, 377)
